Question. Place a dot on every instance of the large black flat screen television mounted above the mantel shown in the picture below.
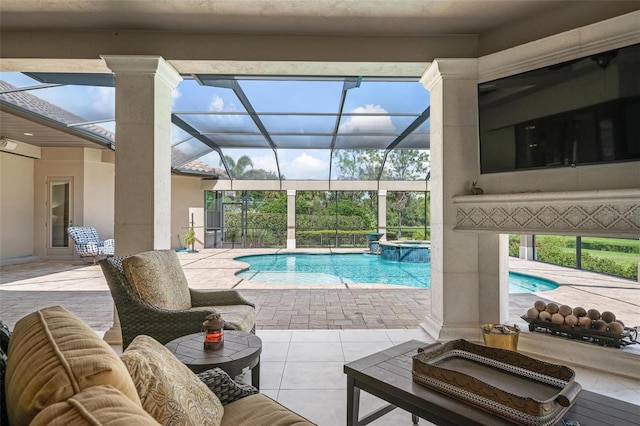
(583, 111)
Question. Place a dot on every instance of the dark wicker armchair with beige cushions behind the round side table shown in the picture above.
(152, 297)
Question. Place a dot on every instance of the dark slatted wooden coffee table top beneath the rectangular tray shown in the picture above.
(388, 375)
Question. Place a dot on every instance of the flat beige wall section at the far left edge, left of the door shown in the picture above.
(16, 206)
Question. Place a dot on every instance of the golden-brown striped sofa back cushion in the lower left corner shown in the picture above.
(53, 355)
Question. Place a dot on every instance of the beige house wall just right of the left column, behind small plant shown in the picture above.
(186, 194)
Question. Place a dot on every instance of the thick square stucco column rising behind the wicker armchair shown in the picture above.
(143, 152)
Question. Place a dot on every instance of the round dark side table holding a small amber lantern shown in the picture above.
(240, 350)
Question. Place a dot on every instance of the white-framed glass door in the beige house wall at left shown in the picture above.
(59, 216)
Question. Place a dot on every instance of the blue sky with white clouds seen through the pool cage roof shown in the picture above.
(218, 113)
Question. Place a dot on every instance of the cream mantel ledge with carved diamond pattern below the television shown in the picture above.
(615, 212)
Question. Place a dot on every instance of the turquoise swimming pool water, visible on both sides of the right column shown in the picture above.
(301, 269)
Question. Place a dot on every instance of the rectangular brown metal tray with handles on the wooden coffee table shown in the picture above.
(516, 387)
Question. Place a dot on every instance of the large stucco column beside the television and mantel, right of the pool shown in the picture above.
(460, 261)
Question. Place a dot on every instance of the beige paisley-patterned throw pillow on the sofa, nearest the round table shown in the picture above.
(169, 391)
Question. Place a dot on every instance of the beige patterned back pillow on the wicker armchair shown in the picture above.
(158, 278)
